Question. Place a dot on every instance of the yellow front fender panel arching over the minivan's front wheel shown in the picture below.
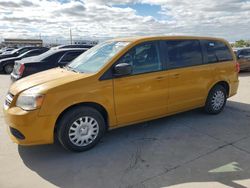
(55, 103)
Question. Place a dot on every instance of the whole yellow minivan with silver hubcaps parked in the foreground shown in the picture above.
(118, 83)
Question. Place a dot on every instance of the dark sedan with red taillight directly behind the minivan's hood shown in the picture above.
(45, 61)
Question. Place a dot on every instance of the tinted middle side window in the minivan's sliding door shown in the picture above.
(183, 53)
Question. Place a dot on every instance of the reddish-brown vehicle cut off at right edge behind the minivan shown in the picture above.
(243, 56)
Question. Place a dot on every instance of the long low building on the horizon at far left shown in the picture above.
(16, 43)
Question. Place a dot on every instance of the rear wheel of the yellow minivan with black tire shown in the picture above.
(210, 106)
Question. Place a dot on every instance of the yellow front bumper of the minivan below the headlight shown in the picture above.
(35, 129)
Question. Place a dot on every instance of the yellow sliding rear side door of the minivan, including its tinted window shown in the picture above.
(189, 78)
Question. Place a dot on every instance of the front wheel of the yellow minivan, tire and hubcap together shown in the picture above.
(80, 129)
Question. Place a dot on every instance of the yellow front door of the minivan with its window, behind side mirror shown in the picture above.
(142, 94)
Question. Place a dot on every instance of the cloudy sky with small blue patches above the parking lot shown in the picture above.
(105, 19)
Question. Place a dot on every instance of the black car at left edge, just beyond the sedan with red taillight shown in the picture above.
(7, 64)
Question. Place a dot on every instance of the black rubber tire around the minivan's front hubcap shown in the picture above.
(67, 122)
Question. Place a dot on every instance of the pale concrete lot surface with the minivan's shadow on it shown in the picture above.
(191, 149)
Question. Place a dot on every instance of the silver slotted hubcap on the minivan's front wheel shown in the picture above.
(83, 131)
